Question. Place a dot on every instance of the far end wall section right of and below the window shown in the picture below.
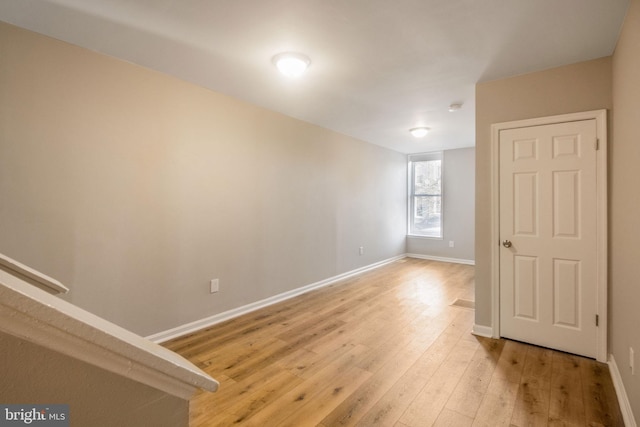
(459, 207)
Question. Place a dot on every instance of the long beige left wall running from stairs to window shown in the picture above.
(135, 189)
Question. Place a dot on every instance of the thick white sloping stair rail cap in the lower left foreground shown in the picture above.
(39, 317)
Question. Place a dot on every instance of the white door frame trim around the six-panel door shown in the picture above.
(600, 116)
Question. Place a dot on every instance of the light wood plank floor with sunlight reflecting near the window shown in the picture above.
(387, 348)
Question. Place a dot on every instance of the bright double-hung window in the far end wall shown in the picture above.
(425, 197)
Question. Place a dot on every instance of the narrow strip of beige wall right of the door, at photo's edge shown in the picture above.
(624, 197)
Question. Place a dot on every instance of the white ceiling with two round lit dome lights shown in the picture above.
(379, 67)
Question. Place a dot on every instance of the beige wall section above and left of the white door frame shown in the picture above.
(573, 88)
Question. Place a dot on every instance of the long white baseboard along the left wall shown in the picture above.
(230, 314)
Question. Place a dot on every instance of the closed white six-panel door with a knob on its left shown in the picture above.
(548, 219)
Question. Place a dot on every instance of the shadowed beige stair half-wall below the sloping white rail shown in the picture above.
(34, 375)
